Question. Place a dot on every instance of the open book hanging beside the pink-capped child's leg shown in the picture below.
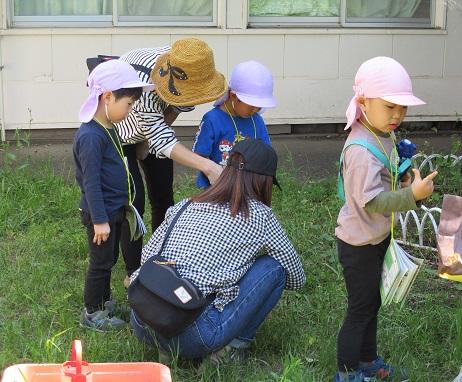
(398, 274)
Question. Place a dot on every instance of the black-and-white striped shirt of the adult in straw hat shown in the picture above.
(146, 120)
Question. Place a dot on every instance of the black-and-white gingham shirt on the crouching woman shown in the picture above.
(215, 250)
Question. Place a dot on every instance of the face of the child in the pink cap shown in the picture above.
(383, 115)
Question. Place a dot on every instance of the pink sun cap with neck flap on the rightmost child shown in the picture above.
(385, 78)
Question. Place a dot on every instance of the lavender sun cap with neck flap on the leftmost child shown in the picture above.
(109, 76)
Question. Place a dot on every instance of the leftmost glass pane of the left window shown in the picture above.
(62, 7)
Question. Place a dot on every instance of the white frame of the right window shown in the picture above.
(342, 21)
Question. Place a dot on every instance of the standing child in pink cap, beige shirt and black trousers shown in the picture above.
(383, 91)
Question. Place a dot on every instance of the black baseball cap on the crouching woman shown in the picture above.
(259, 158)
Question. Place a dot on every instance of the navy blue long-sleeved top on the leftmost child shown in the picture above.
(100, 172)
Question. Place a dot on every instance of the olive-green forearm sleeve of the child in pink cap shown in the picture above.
(392, 201)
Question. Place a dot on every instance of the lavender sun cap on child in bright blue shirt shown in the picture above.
(253, 84)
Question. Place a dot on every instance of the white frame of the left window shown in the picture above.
(112, 20)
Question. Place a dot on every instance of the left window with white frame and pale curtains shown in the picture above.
(113, 12)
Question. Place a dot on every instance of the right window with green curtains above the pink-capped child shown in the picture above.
(342, 13)
